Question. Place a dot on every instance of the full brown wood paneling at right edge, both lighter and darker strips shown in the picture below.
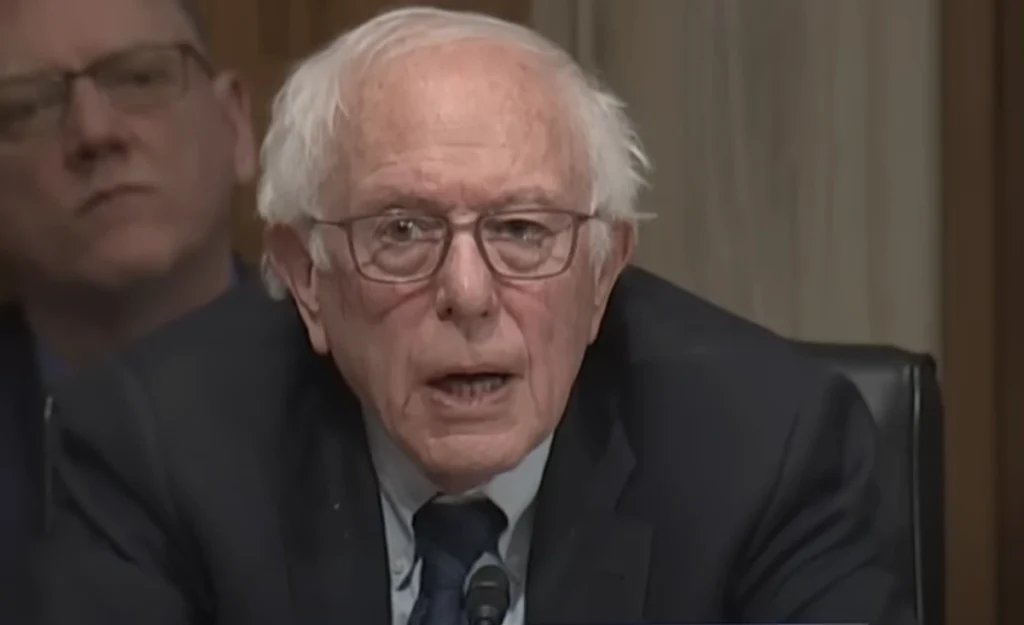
(984, 308)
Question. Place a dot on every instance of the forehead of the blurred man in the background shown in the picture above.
(37, 34)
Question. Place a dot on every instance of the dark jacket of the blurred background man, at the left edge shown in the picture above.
(22, 445)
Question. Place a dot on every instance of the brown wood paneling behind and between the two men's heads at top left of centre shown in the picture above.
(264, 38)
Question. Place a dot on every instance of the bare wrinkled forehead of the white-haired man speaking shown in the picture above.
(481, 100)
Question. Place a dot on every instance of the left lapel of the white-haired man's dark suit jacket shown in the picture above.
(334, 528)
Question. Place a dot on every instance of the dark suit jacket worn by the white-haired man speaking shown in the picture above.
(705, 473)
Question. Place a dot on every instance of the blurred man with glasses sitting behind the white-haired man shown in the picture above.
(119, 151)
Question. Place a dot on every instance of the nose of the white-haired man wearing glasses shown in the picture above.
(466, 293)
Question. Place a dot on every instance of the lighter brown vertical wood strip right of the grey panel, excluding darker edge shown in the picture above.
(968, 306)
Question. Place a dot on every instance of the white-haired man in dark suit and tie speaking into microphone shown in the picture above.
(468, 411)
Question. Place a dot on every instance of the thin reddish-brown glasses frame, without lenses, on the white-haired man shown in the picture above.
(451, 230)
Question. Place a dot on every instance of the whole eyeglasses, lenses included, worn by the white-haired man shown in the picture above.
(530, 244)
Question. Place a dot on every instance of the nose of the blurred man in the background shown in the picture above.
(93, 130)
